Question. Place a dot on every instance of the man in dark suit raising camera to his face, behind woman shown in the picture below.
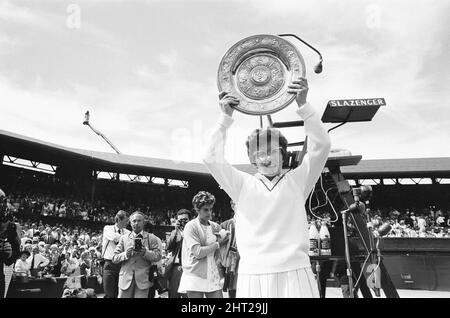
(174, 243)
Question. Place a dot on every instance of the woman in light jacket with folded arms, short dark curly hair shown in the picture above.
(200, 250)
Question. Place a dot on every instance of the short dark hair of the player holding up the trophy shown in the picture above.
(267, 136)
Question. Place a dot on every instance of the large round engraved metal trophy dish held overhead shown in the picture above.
(282, 53)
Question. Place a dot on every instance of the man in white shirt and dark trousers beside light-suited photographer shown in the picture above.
(111, 237)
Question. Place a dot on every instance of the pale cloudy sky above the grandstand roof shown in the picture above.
(146, 71)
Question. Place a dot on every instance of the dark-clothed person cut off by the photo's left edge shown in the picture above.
(9, 242)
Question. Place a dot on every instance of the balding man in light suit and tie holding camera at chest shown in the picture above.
(136, 252)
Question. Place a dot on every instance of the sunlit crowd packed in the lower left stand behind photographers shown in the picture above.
(62, 251)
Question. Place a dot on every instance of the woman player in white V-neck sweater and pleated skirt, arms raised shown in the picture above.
(271, 226)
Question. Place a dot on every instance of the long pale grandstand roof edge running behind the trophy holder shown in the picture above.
(37, 150)
